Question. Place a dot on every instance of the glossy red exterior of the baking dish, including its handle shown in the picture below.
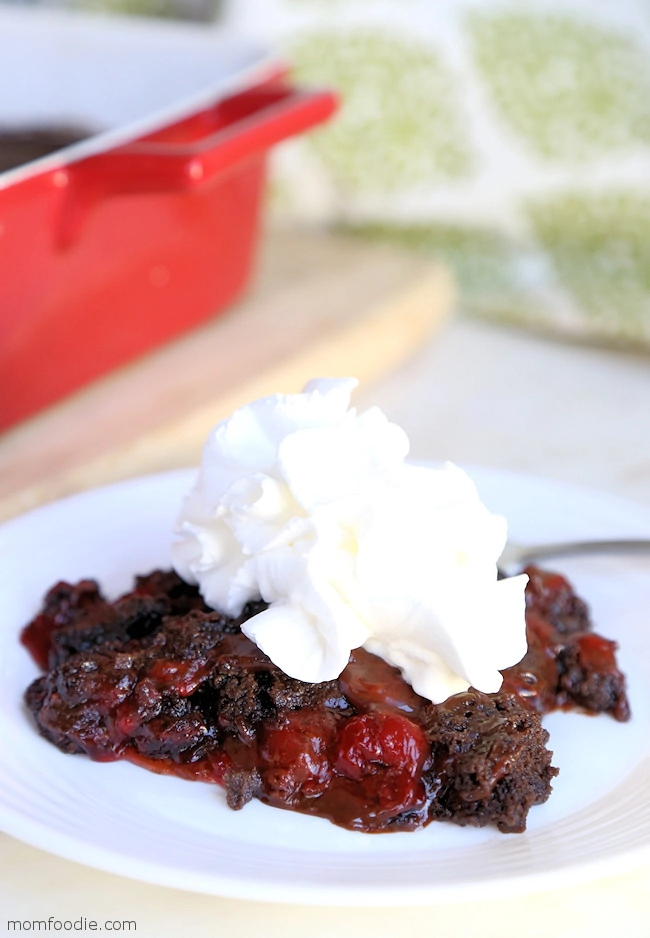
(108, 250)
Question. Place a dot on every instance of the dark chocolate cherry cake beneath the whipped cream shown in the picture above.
(157, 678)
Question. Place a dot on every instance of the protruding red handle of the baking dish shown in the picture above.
(246, 124)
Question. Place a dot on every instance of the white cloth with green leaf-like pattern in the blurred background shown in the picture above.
(510, 138)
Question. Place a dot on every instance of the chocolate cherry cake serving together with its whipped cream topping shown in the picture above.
(335, 638)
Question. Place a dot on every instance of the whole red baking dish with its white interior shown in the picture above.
(146, 227)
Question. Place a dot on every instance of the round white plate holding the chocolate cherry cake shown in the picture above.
(164, 830)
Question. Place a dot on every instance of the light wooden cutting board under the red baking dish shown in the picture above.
(319, 306)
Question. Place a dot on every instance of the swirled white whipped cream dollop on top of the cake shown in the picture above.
(309, 505)
